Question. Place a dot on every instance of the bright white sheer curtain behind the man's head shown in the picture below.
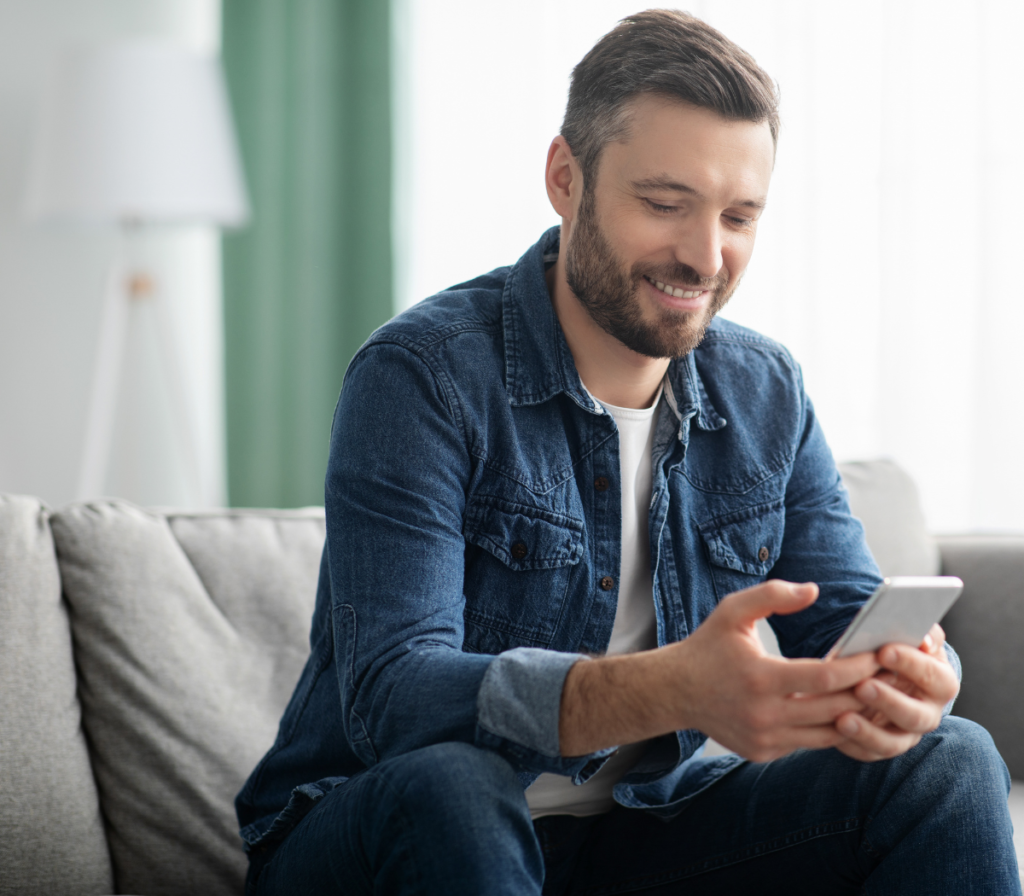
(887, 260)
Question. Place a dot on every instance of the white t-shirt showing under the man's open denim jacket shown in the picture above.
(635, 627)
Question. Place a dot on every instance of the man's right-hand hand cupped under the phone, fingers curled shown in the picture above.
(902, 703)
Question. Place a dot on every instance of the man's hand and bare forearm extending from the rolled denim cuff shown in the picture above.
(721, 681)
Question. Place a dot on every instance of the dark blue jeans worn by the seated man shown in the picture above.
(452, 820)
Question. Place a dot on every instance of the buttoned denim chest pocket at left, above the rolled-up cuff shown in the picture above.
(519, 565)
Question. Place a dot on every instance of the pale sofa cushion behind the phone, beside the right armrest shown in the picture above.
(886, 500)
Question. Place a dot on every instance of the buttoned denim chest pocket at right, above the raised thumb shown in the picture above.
(744, 546)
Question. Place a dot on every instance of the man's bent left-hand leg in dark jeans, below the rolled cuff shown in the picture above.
(444, 814)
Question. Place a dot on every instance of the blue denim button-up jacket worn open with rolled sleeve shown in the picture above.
(474, 540)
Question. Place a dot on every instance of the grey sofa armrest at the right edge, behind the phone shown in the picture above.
(987, 627)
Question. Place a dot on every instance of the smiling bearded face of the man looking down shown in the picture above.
(662, 240)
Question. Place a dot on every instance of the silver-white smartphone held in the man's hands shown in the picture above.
(903, 611)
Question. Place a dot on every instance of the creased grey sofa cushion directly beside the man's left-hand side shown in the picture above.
(191, 631)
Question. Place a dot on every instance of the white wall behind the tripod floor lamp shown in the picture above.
(52, 283)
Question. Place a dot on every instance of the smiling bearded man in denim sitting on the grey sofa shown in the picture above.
(559, 499)
